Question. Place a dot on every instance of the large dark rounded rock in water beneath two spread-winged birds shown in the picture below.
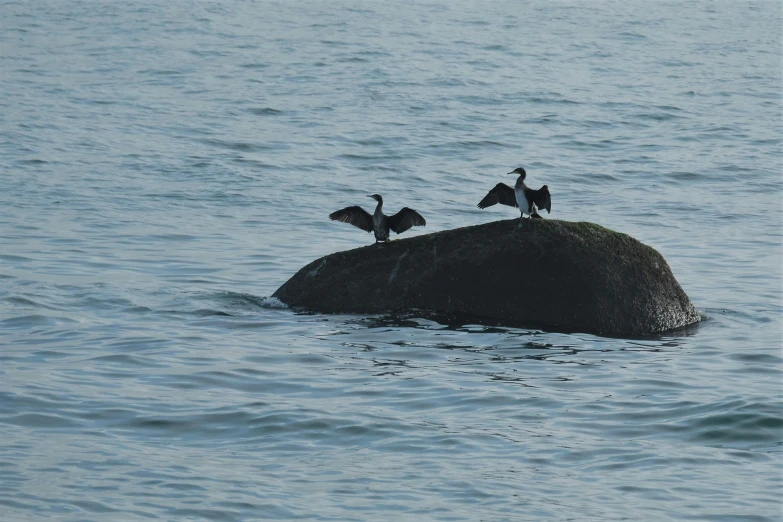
(536, 273)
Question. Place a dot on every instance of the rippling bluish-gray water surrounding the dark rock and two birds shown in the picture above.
(165, 166)
